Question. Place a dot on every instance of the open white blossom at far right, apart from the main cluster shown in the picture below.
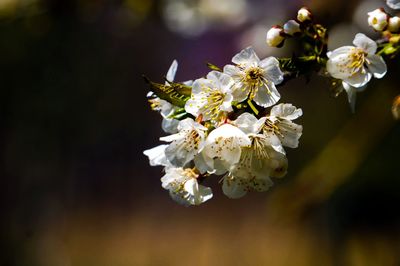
(356, 65)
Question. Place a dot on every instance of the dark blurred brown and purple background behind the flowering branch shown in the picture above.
(75, 188)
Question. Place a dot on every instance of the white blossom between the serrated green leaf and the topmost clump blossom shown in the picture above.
(211, 97)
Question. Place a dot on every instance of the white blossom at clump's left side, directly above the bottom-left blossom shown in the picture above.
(185, 144)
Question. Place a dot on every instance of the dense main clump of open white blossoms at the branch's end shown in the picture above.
(221, 136)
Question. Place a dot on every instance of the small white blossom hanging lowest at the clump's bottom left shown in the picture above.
(183, 186)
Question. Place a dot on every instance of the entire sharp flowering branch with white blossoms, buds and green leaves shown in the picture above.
(231, 123)
